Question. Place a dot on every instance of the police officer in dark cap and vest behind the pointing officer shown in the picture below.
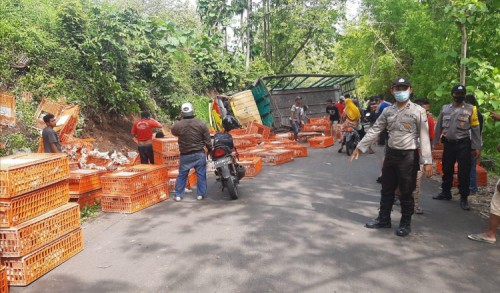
(459, 125)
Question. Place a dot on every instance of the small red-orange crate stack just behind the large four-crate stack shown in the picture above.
(85, 186)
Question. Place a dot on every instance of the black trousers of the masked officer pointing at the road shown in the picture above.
(399, 170)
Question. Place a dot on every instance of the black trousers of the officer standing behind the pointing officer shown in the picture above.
(456, 151)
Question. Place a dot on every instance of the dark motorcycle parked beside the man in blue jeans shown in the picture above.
(227, 170)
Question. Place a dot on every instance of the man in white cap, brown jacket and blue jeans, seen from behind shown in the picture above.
(193, 138)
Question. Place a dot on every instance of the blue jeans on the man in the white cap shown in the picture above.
(198, 161)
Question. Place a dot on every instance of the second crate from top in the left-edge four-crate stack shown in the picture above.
(25, 207)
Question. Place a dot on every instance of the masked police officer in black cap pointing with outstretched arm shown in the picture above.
(408, 129)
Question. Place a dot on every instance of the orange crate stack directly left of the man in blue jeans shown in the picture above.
(166, 152)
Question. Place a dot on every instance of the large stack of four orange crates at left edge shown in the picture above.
(39, 229)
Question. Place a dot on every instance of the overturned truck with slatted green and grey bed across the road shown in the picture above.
(268, 99)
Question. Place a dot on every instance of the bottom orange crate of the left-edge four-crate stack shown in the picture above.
(21, 271)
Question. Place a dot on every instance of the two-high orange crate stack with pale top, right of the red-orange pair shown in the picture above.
(134, 188)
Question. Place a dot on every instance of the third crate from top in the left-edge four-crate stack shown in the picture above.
(37, 232)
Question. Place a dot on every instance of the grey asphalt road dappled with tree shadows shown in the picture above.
(296, 228)
